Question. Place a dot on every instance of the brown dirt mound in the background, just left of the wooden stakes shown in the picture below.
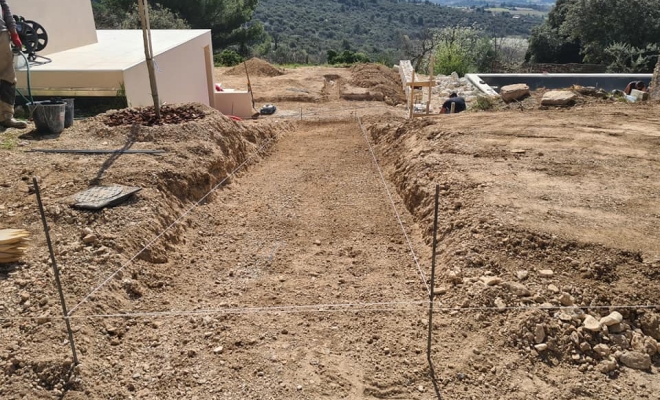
(379, 78)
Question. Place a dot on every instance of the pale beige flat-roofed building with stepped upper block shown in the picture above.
(87, 62)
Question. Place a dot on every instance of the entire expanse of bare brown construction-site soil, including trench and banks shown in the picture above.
(289, 257)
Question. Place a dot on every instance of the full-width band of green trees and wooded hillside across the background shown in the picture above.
(622, 34)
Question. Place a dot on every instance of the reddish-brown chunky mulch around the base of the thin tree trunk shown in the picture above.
(146, 116)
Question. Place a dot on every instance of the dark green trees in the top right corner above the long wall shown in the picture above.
(619, 33)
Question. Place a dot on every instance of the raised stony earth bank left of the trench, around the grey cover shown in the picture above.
(199, 155)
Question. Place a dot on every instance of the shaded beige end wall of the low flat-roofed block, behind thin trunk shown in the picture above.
(181, 75)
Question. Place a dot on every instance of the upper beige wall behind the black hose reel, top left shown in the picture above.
(68, 23)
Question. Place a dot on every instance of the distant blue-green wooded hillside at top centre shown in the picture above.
(303, 30)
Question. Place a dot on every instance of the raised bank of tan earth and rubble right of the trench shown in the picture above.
(546, 289)
